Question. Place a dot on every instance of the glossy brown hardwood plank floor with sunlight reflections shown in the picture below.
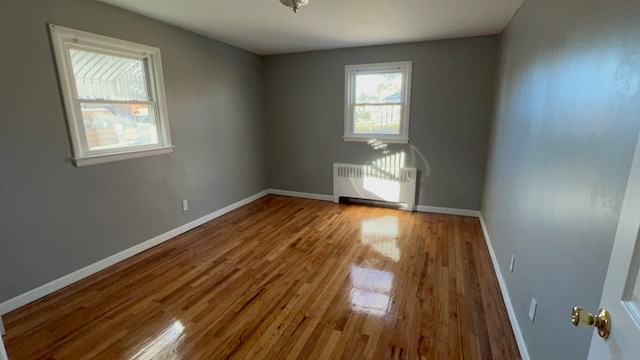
(284, 278)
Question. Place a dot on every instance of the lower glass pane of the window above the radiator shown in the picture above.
(377, 119)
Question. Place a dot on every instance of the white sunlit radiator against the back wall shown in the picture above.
(375, 183)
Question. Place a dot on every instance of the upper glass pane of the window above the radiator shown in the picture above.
(378, 88)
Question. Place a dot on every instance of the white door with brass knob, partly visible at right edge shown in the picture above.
(621, 293)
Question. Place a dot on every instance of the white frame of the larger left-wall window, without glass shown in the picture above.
(63, 40)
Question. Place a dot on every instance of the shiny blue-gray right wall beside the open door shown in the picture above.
(567, 119)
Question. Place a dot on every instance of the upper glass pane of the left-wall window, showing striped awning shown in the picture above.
(108, 77)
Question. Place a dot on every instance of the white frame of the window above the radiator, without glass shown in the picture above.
(351, 71)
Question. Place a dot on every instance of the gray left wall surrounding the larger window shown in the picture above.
(57, 218)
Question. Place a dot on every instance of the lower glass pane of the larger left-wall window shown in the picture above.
(110, 126)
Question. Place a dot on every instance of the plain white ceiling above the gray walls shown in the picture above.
(267, 27)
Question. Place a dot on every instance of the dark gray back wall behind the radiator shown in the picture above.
(451, 102)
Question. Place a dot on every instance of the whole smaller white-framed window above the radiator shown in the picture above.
(377, 102)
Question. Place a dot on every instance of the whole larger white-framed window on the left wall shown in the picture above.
(113, 95)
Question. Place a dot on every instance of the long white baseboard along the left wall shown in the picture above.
(77, 275)
